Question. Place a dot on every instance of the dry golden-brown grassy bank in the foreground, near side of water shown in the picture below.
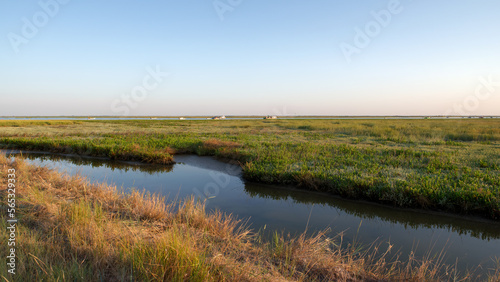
(70, 229)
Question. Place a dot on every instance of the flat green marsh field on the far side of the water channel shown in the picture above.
(449, 165)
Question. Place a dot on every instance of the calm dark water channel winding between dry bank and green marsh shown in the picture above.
(473, 241)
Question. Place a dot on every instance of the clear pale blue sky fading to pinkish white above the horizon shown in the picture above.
(242, 57)
